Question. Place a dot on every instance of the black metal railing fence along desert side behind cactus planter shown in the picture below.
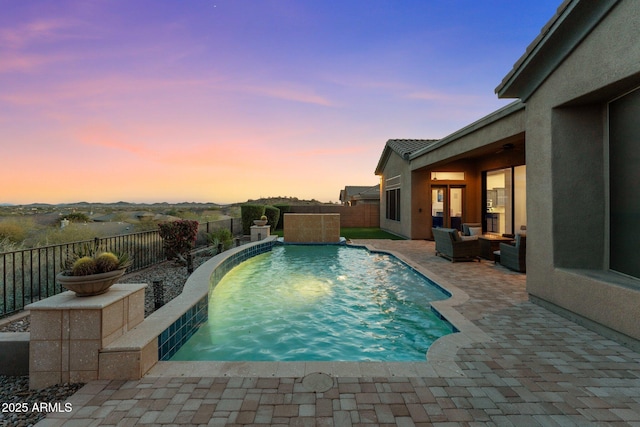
(29, 275)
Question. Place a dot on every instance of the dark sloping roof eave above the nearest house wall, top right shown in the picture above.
(573, 21)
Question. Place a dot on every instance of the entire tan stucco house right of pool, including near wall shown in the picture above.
(572, 143)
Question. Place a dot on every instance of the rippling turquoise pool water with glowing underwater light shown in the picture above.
(319, 303)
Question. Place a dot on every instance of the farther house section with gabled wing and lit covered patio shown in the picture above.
(440, 182)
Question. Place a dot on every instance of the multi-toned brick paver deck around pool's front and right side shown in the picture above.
(536, 369)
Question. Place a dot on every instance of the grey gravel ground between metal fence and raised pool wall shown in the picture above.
(17, 401)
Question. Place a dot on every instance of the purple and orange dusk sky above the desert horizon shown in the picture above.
(229, 100)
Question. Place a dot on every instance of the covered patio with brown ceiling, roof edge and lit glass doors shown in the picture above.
(449, 178)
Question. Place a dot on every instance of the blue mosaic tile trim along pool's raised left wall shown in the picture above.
(172, 338)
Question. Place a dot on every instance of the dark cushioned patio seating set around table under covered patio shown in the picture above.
(471, 245)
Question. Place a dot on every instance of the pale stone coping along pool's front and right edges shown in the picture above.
(439, 361)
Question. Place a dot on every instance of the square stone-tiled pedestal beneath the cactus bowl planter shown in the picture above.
(68, 332)
